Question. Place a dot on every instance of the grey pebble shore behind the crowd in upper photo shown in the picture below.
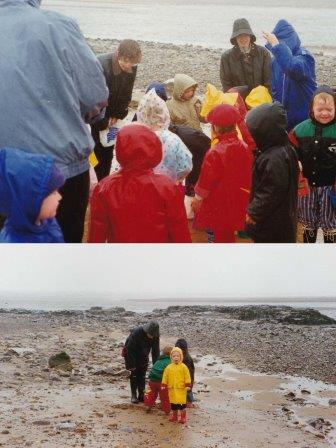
(161, 61)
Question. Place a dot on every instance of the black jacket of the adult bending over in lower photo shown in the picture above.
(137, 348)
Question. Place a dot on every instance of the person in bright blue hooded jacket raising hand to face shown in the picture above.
(293, 72)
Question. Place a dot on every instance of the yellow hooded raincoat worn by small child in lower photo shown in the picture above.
(177, 378)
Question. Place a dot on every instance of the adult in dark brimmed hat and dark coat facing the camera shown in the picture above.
(246, 65)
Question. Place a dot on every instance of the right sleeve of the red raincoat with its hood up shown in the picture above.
(176, 217)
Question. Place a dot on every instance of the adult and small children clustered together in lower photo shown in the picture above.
(171, 376)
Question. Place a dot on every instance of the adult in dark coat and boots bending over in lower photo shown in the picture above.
(138, 345)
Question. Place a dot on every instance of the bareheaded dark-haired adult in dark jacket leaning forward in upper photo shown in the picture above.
(120, 70)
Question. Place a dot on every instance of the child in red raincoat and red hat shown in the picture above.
(222, 190)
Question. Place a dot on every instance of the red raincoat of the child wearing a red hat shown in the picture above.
(224, 184)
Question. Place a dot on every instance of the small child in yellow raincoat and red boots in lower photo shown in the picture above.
(176, 378)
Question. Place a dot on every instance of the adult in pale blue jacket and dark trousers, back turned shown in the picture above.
(51, 84)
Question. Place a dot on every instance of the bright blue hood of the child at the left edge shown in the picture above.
(24, 183)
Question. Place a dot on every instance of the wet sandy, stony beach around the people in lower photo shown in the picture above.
(260, 380)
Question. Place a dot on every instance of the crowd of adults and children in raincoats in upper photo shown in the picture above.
(262, 170)
